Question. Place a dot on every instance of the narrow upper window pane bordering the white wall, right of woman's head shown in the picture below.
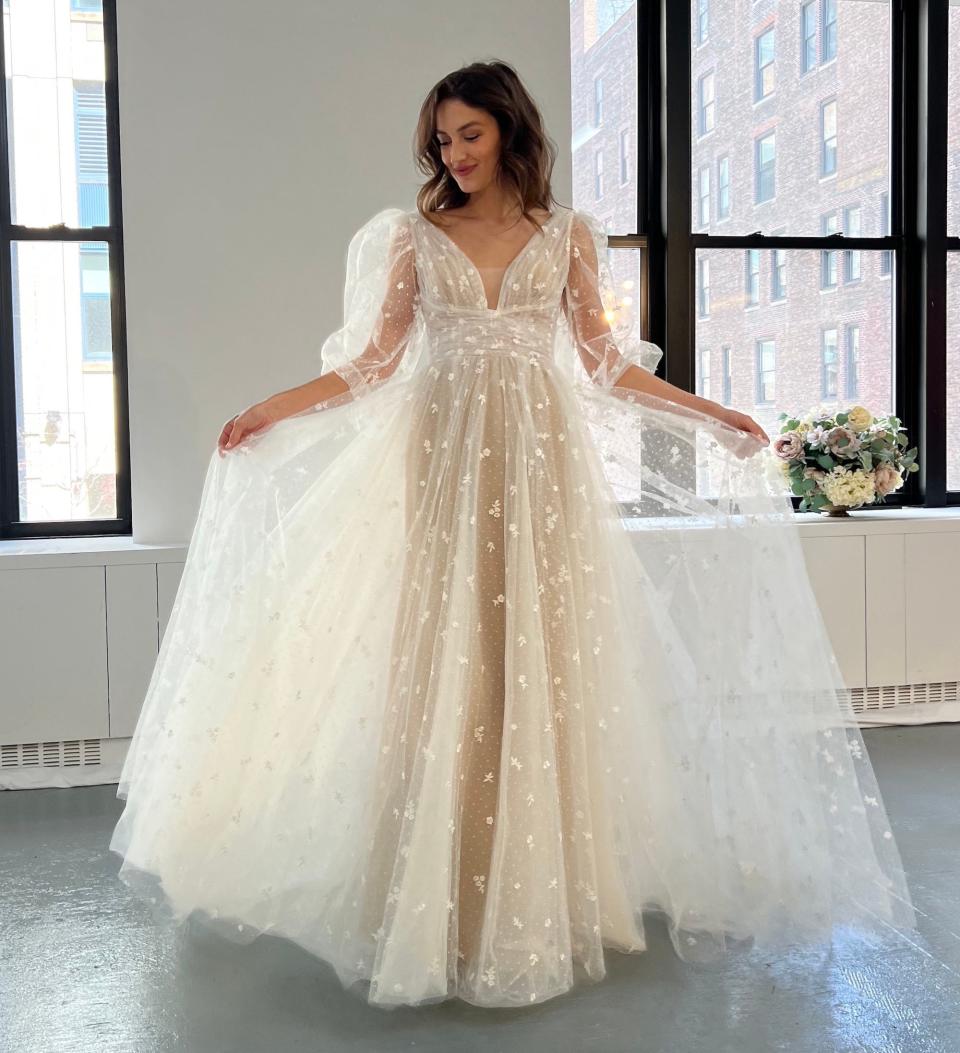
(604, 103)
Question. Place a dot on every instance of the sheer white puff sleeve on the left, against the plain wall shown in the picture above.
(381, 304)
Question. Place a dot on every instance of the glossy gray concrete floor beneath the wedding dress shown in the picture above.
(84, 967)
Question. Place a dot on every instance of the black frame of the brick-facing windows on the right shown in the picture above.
(917, 241)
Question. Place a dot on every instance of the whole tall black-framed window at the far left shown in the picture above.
(64, 465)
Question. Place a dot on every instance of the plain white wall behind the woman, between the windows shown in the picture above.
(255, 141)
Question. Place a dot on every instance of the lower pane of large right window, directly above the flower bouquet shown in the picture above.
(787, 354)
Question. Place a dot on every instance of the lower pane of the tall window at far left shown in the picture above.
(64, 381)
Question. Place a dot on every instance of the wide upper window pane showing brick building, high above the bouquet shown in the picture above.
(822, 141)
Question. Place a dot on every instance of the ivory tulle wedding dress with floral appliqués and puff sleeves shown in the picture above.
(475, 664)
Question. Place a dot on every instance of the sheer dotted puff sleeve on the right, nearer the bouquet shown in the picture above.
(606, 337)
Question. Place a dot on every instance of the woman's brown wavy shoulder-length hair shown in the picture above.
(527, 153)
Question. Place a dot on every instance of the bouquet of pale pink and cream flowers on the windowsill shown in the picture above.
(838, 463)
